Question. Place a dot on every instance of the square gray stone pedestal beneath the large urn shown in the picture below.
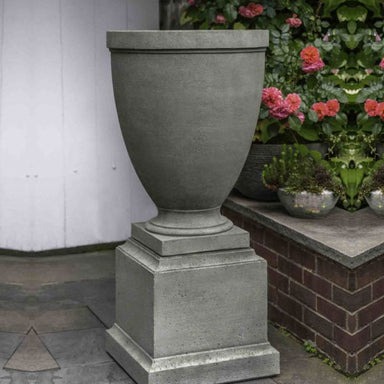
(191, 318)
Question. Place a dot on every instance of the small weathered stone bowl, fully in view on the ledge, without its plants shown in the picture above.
(307, 205)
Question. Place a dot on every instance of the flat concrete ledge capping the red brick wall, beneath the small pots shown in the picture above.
(351, 239)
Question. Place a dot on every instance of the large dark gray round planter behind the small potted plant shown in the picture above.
(250, 183)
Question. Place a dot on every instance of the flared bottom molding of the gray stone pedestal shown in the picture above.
(217, 366)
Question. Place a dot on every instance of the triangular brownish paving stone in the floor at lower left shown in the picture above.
(31, 355)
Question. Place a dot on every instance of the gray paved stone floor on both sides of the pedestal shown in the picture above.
(53, 314)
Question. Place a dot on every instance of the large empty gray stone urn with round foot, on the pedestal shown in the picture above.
(188, 103)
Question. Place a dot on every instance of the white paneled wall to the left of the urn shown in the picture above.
(65, 177)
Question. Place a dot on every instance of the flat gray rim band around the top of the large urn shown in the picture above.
(191, 40)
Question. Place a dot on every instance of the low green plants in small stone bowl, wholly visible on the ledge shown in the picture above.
(305, 184)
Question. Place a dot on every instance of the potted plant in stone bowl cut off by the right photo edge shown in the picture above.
(372, 188)
